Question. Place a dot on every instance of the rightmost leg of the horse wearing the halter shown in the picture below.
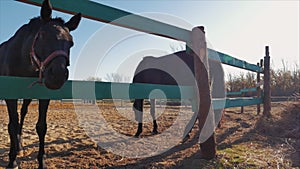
(41, 128)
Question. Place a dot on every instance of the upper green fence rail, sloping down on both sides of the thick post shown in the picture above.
(107, 14)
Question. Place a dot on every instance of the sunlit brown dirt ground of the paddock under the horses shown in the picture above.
(244, 140)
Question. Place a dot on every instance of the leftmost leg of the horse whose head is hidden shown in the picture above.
(138, 110)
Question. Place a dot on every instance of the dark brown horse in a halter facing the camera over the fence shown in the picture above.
(40, 49)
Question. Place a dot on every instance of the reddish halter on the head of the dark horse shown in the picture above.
(40, 65)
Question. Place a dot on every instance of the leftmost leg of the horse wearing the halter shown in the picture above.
(13, 128)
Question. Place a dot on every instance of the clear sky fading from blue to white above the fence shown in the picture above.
(238, 28)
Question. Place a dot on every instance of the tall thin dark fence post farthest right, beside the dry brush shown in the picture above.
(267, 83)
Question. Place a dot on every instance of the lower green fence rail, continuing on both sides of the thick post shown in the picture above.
(18, 87)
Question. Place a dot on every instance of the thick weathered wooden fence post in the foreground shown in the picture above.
(203, 95)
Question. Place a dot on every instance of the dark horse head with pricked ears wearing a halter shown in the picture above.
(50, 48)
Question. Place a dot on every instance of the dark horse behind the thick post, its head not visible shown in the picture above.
(174, 69)
